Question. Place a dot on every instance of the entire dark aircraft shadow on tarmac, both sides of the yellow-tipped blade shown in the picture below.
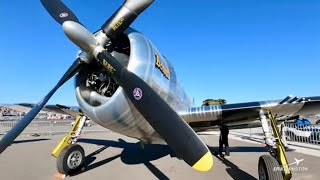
(133, 154)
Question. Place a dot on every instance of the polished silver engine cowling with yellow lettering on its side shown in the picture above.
(118, 113)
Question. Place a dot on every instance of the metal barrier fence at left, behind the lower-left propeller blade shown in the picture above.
(49, 127)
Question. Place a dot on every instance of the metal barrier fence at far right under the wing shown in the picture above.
(302, 133)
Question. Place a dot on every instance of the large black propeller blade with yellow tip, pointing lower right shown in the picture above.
(168, 124)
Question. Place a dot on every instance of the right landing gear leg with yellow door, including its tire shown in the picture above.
(273, 166)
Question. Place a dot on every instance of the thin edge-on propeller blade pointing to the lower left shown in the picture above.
(10, 136)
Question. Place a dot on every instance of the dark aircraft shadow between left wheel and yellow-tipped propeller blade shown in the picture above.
(132, 154)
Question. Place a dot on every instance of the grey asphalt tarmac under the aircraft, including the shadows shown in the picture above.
(113, 156)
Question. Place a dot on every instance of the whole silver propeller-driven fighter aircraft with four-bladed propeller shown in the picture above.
(125, 84)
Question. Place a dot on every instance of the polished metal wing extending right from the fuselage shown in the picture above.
(246, 115)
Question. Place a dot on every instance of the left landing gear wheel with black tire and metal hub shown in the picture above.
(70, 158)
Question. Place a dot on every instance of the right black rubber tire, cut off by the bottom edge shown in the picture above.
(266, 169)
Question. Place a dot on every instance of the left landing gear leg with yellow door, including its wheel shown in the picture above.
(70, 155)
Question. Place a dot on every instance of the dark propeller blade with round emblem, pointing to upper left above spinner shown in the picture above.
(59, 11)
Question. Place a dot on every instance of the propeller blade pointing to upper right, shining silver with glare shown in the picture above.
(124, 16)
